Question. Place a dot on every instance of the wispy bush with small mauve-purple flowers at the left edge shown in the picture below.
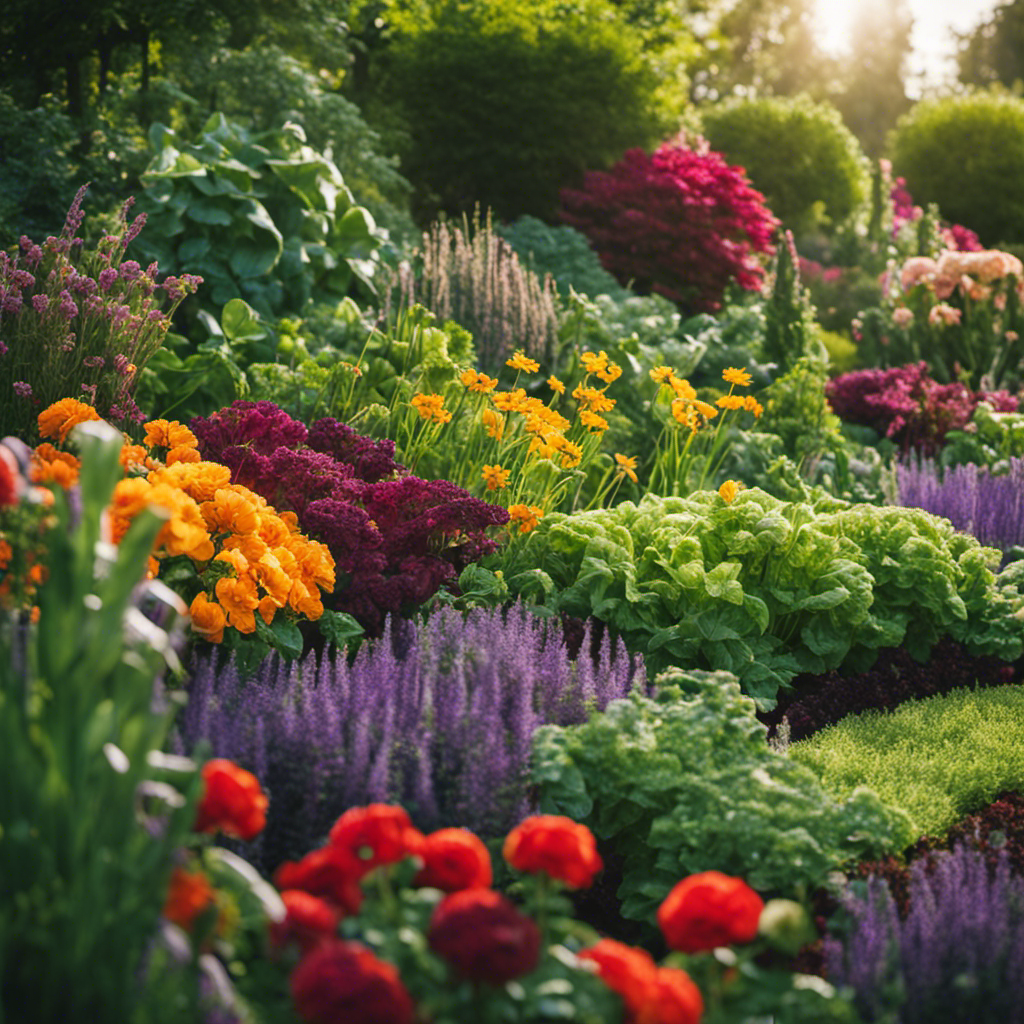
(79, 323)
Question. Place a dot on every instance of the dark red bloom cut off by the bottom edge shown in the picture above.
(344, 982)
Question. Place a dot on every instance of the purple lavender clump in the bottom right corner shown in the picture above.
(958, 956)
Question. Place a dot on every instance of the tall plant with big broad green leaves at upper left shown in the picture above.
(263, 218)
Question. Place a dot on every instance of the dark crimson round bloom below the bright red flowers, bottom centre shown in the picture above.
(483, 935)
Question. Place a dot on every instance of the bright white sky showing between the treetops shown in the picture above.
(931, 62)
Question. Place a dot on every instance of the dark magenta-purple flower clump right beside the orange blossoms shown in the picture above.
(396, 539)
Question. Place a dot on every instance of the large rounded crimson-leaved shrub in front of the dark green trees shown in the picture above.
(681, 223)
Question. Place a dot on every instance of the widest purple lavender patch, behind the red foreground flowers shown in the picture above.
(439, 718)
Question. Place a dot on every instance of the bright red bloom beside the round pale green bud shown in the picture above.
(709, 911)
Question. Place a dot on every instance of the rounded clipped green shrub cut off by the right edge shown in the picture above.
(967, 155)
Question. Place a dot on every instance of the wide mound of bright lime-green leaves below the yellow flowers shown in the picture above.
(770, 589)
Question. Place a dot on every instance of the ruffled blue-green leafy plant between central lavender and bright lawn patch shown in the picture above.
(687, 784)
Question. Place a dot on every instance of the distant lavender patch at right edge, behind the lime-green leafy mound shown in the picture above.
(975, 500)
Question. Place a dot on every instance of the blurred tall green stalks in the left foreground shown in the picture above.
(84, 878)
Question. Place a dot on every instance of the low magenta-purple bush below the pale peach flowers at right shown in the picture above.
(906, 405)
